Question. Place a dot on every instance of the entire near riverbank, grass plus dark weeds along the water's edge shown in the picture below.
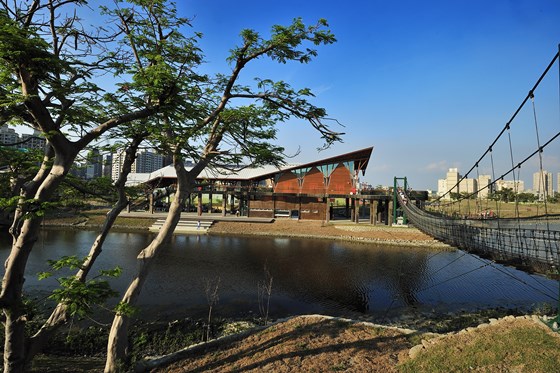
(482, 341)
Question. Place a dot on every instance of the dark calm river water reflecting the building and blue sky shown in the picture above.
(308, 275)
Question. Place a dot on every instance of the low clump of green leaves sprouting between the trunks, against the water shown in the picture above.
(80, 296)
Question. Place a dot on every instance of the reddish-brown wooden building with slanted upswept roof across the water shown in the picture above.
(305, 191)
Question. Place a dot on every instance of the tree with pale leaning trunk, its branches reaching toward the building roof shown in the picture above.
(213, 118)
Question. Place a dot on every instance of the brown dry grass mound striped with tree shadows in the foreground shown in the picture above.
(303, 344)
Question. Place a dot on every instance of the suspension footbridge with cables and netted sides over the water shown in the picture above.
(531, 243)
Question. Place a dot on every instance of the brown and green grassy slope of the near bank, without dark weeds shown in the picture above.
(316, 343)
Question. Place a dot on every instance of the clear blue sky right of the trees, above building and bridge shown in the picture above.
(429, 84)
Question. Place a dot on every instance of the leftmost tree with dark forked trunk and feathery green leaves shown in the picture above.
(49, 67)
